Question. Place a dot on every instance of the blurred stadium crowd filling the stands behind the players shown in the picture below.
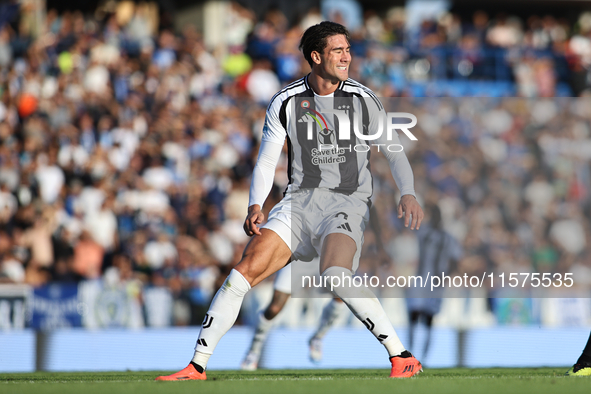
(127, 149)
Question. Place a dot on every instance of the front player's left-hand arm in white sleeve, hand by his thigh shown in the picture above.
(264, 170)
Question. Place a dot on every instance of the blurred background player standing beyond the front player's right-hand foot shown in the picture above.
(439, 252)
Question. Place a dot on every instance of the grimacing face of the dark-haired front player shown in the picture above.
(335, 59)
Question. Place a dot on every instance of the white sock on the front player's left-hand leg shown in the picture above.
(221, 316)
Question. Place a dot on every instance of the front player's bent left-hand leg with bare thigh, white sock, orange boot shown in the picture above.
(264, 255)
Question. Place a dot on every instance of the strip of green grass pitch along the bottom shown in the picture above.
(436, 381)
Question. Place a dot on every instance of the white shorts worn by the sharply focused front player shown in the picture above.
(304, 218)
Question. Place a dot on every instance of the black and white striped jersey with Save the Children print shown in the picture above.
(318, 157)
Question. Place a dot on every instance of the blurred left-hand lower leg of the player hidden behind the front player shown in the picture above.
(264, 325)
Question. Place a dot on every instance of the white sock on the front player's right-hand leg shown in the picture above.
(366, 307)
